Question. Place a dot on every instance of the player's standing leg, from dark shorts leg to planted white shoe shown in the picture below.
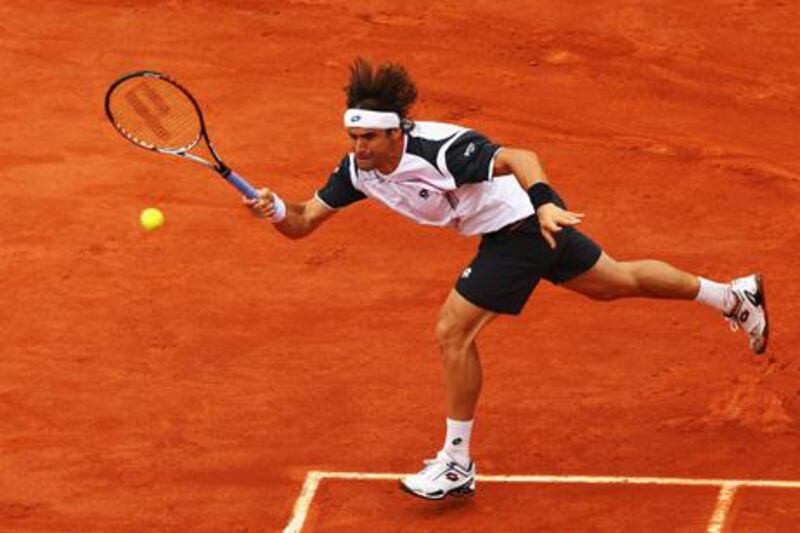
(499, 280)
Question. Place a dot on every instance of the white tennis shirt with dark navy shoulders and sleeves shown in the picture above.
(444, 179)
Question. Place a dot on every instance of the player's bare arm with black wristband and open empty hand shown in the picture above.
(525, 166)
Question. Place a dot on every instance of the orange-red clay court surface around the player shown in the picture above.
(191, 378)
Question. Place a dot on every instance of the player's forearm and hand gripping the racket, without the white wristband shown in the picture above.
(301, 218)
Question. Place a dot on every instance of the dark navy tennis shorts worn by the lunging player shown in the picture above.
(511, 261)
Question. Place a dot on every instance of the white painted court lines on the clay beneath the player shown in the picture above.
(715, 525)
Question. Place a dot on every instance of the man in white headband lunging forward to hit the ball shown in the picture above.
(445, 175)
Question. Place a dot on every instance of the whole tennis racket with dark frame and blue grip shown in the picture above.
(154, 112)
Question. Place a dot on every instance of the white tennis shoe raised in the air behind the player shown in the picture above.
(750, 312)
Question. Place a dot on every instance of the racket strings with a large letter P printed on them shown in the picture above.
(155, 113)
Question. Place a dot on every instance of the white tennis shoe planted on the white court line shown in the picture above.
(440, 477)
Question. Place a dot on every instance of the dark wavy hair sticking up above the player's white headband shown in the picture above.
(385, 88)
